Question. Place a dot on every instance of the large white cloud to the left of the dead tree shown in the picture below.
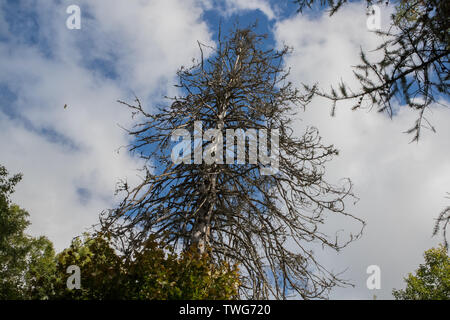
(68, 156)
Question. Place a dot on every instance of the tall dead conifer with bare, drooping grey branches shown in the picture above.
(265, 223)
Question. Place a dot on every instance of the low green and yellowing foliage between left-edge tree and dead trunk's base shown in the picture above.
(151, 273)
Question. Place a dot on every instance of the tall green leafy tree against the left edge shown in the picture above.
(22, 258)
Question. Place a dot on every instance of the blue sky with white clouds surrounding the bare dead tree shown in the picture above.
(72, 158)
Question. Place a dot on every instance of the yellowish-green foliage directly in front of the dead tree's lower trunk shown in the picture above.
(189, 275)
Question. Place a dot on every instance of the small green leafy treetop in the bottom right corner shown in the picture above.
(432, 279)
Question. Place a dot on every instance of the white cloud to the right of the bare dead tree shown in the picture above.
(401, 186)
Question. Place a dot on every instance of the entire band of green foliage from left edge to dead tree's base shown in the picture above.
(29, 268)
